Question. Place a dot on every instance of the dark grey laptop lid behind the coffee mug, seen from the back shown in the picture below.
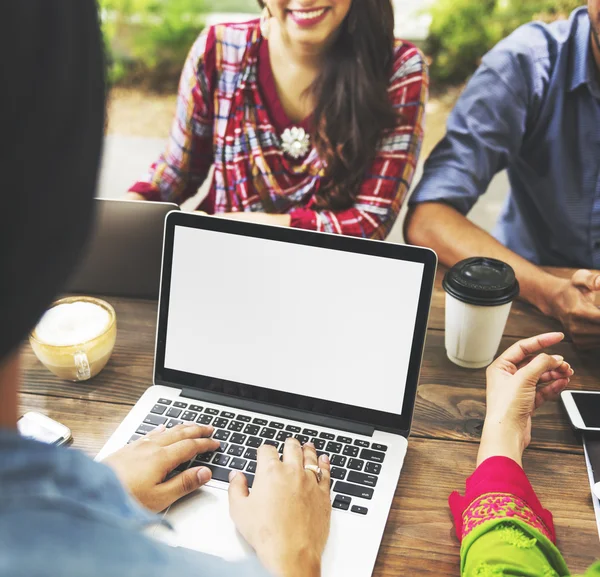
(124, 256)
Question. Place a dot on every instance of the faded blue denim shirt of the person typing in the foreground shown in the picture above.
(63, 515)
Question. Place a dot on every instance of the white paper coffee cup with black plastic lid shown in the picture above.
(479, 295)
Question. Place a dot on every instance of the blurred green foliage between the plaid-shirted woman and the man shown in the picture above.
(462, 31)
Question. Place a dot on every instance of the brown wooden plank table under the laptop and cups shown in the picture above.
(419, 537)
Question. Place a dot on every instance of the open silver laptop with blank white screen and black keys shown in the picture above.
(267, 332)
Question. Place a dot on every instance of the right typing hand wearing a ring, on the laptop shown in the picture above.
(286, 517)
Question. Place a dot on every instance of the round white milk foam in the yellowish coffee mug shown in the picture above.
(72, 323)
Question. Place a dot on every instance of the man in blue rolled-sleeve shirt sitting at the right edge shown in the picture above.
(533, 108)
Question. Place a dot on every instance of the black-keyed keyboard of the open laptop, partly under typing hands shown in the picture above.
(355, 463)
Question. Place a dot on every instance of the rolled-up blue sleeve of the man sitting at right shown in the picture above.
(484, 130)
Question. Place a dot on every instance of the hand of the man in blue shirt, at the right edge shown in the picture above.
(573, 305)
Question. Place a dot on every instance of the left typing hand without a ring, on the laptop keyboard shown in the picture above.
(143, 465)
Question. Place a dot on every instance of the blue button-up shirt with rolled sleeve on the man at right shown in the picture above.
(533, 107)
